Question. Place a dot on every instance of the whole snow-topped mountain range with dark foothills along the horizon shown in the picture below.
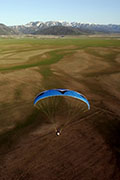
(59, 28)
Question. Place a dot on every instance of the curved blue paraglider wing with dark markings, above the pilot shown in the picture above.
(61, 92)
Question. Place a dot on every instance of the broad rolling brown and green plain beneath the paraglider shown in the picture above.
(89, 146)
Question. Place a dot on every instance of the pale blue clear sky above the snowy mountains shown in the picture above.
(14, 12)
